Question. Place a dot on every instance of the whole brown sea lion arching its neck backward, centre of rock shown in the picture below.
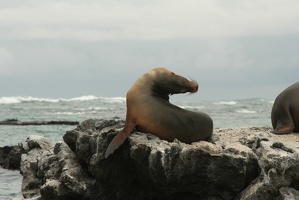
(149, 110)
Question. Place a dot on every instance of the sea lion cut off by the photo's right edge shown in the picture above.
(285, 111)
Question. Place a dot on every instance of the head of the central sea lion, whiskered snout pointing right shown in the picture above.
(166, 82)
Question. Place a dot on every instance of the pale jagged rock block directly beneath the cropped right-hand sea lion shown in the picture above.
(279, 165)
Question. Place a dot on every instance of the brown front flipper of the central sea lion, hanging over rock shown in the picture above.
(120, 137)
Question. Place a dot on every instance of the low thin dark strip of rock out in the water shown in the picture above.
(16, 122)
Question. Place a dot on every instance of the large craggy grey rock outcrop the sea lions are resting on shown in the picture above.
(237, 163)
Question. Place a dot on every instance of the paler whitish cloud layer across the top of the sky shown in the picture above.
(154, 20)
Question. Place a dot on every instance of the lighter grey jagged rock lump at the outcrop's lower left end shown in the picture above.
(52, 173)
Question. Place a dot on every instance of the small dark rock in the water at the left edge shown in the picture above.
(10, 157)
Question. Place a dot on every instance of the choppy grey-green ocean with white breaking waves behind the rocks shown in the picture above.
(225, 113)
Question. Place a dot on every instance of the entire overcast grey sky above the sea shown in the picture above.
(234, 49)
